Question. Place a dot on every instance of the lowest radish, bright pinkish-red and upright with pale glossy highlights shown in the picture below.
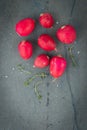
(57, 66)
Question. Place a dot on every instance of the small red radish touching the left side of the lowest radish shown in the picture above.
(41, 61)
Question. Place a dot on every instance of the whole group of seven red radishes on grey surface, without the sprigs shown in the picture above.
(65, 34)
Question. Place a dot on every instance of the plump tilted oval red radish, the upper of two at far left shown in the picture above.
(25, 26)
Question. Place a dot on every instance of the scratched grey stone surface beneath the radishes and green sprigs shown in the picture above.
(64, 101)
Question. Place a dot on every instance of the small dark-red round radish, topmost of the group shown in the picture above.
(46, 20)
